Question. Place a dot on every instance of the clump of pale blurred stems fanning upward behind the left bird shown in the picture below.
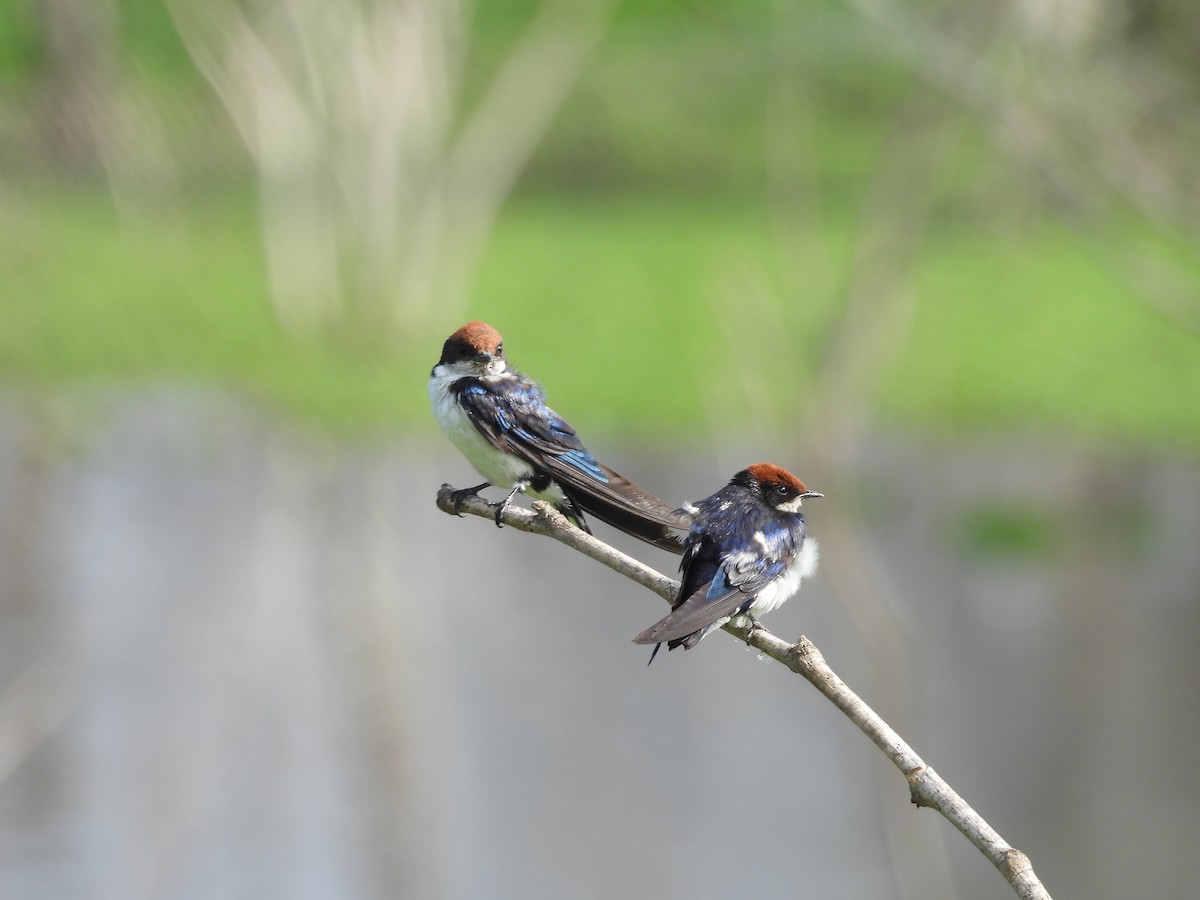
(377, 190)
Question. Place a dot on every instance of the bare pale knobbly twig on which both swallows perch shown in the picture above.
(926, 787)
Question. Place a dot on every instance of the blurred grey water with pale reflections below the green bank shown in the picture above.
(242, 662)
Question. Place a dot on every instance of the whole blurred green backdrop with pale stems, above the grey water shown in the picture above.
(1005, 194)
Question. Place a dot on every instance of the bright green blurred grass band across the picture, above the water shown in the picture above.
(611, 303)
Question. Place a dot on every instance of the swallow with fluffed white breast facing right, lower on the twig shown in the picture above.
(746, 555)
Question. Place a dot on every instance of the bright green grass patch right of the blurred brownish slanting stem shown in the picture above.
(1047, 328)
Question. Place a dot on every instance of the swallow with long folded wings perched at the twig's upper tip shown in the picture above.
(499, 419)
